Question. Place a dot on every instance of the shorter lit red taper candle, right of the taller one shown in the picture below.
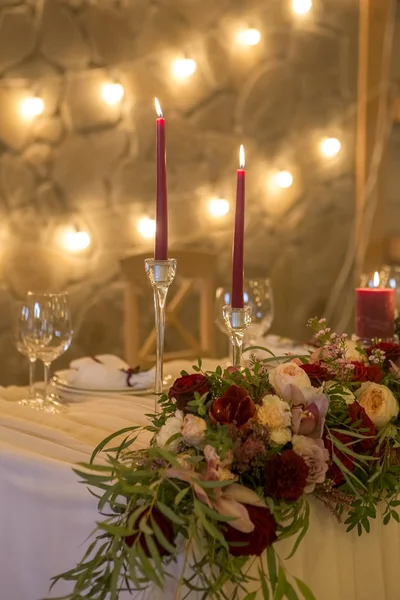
(238, 240)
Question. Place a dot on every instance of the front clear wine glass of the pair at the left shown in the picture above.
(46, 332)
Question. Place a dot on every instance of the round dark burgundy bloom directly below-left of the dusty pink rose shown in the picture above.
(285, 476)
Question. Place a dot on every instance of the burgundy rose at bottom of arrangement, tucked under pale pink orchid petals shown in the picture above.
(254, 543)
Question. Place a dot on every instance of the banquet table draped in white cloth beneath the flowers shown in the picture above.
(46, 515)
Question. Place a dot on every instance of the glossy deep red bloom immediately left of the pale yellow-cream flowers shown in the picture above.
(234, 407)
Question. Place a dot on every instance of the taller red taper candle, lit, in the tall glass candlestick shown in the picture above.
(161, 238)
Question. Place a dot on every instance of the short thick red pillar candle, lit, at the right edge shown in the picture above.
(375, 312)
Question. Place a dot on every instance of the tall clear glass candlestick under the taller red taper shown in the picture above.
(161, 274)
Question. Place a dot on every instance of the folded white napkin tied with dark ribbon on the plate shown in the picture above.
(107, 372)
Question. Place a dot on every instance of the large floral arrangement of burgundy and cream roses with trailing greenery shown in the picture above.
(234, 458)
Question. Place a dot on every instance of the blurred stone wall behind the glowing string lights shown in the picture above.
(86, 163)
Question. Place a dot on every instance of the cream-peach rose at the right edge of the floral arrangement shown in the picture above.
(378, 402)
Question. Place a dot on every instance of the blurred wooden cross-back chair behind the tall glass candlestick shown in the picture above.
(196, 273)
